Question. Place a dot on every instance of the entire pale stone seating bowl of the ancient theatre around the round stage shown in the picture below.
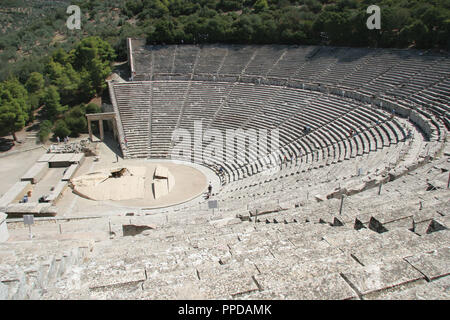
(354, 207)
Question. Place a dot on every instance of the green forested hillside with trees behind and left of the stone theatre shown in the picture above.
(44, 64)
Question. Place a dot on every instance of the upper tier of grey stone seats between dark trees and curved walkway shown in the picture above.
(371, 70)
